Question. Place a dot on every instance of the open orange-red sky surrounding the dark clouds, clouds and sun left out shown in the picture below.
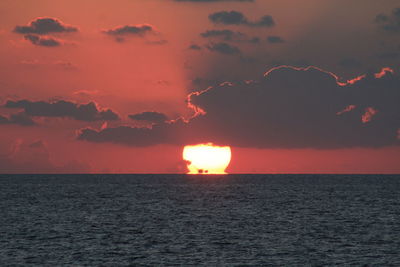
(157, 71)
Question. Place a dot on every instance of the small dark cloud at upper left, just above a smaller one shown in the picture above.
(45, 26)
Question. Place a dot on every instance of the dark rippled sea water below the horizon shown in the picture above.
(233, 220)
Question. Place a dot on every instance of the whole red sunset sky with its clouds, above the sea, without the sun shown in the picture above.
(101, 86)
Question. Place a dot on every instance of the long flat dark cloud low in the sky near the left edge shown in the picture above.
(81, 112)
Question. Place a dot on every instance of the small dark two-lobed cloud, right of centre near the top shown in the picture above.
(237, 18)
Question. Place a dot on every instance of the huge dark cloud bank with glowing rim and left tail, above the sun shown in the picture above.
(288, 108)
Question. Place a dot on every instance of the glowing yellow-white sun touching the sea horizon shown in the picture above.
(207, 158)
